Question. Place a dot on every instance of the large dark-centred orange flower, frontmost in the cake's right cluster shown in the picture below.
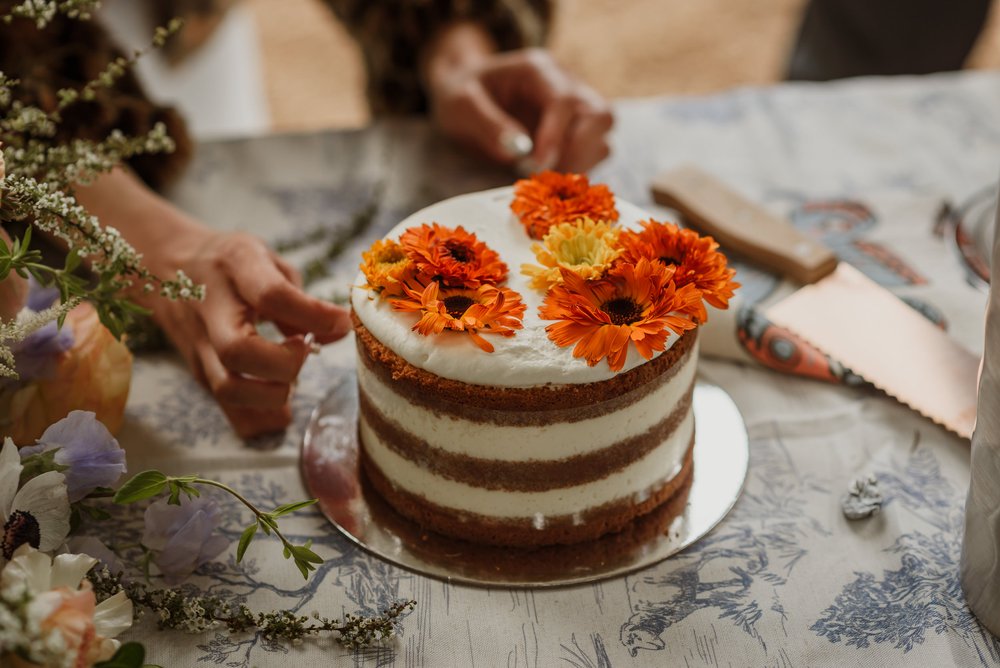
(639, 304)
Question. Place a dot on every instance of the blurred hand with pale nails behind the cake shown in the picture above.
(519, 108)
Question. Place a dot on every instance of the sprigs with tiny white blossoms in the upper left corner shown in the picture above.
(41, 174)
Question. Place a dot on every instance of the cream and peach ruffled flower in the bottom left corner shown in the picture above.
(61, 605)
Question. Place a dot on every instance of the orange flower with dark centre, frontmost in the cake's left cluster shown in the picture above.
(485, 309)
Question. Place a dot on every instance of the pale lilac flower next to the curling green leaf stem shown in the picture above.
(183, 536)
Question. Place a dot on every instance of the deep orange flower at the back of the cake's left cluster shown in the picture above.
(452, 257)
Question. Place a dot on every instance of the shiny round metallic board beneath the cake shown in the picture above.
(331, 474)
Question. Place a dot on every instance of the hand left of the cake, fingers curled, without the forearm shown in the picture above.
(250, 376)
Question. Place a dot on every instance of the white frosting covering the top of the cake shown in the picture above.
(529, 357)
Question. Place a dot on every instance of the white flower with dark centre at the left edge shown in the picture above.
(35, 515)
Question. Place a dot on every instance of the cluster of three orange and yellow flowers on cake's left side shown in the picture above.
(447, 276)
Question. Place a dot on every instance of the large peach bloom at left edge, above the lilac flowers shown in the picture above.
(93, 375)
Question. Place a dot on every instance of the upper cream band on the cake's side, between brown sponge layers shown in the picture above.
(511, 443)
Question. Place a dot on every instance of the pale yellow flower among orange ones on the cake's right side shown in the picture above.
(586, 247)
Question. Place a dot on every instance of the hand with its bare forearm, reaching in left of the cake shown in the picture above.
(245, 283)
